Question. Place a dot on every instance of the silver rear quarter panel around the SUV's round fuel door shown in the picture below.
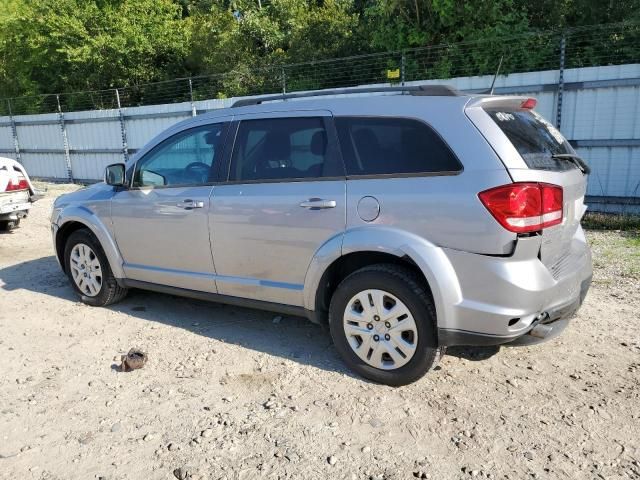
(444, 210)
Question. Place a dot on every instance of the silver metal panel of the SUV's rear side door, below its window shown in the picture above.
(263, 240)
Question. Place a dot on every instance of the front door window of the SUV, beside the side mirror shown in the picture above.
(186, 158)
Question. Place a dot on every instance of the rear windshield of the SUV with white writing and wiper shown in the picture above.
(535, 138)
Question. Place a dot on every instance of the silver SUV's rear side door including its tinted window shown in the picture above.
(284, 199)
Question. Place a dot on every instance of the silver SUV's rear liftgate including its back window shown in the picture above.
(527, 143)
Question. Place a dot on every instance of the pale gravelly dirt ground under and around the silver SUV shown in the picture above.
(234, 393)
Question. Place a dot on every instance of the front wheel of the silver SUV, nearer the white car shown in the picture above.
(89, 272)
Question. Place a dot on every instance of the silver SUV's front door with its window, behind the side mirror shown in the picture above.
(161, 222)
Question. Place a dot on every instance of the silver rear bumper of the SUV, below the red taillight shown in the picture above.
(515, 300)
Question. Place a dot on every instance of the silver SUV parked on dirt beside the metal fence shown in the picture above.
(407, 220)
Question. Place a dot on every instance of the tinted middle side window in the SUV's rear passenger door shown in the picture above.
(282, 149)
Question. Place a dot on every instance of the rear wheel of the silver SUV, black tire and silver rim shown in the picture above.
(393, 339)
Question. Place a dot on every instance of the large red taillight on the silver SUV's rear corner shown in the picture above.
(524, 207)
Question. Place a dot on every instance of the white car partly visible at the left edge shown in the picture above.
(16, 193)
